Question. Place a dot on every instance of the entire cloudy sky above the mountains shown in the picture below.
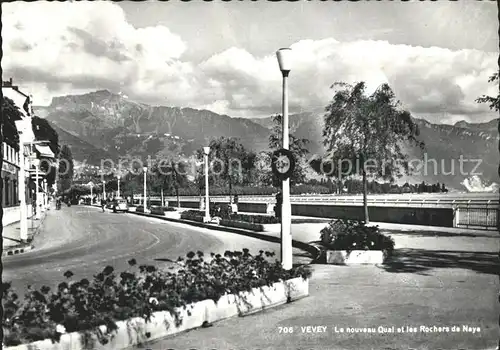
(436, 56)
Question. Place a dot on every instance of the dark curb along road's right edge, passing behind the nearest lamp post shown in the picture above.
(297, 244)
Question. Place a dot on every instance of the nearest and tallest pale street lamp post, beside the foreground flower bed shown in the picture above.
(284, 61)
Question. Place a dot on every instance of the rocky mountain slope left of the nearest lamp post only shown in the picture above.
(116, 124)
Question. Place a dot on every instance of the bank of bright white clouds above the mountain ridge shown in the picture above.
(76, 47)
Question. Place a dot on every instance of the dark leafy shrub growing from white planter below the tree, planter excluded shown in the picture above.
(355, 235)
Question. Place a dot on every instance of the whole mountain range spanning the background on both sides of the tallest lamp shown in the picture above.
(102, 124)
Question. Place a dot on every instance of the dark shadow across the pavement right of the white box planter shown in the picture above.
(420, 260)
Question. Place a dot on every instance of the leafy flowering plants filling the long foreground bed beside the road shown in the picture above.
(94, 308)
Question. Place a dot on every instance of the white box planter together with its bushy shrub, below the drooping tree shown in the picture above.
(352, 242)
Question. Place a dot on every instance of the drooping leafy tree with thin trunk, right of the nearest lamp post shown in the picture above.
(368, 132)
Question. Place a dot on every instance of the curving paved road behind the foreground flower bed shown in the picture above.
(84, 240)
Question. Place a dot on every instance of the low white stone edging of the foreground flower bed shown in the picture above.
(162, 324)
